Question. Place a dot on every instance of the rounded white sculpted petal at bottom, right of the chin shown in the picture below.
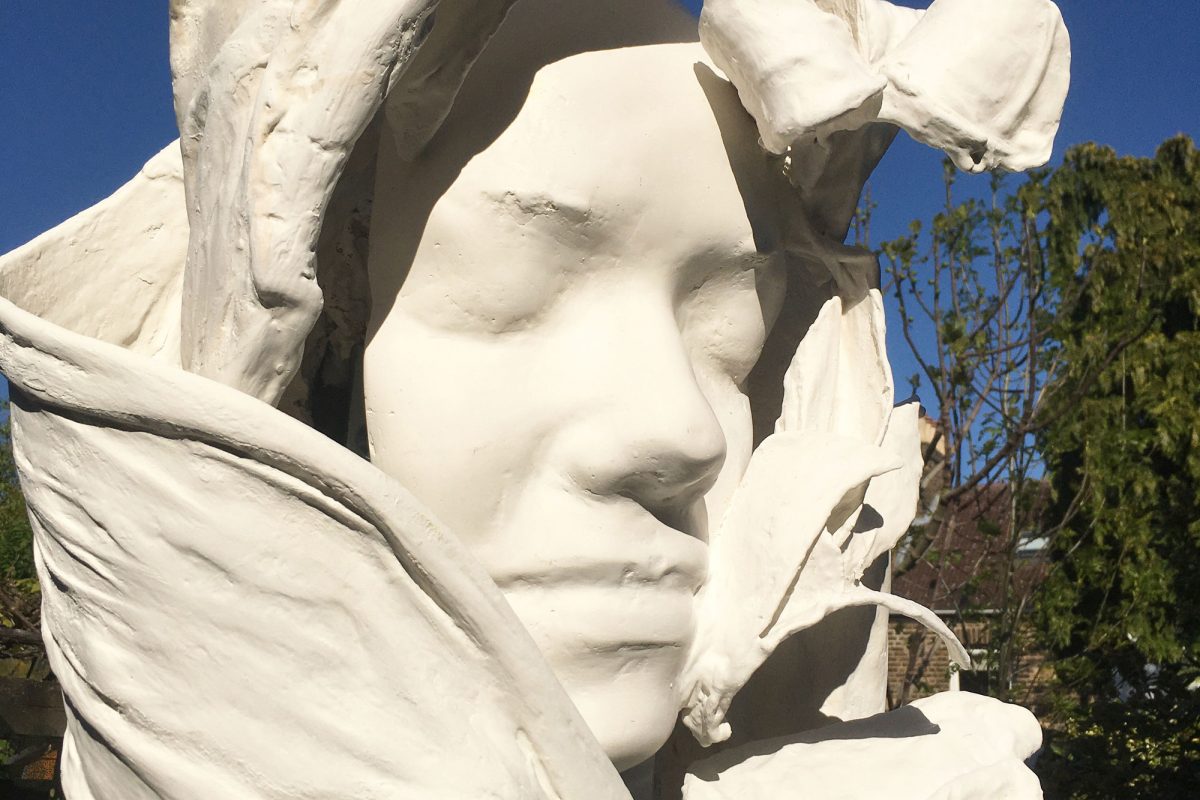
(952, 745)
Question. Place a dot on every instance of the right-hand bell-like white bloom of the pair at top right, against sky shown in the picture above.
(982, 80)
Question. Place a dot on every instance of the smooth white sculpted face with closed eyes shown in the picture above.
(557, 359)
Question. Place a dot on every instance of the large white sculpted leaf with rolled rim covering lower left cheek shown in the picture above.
(238, 607)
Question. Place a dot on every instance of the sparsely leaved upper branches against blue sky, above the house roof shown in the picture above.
(973, 303)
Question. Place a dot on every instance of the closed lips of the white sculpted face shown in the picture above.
(601, 579)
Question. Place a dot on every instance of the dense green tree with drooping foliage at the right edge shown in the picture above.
(1123, 440)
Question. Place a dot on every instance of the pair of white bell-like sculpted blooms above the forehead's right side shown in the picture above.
(983, 81)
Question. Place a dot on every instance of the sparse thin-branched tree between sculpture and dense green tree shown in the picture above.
(973, 300)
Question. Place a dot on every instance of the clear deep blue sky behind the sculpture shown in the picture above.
(86, 101)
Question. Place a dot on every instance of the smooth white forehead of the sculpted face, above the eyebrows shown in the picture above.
(643, 142)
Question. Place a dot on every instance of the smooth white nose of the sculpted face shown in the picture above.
(651, 432)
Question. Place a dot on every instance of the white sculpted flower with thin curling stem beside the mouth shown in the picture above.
(824, 498)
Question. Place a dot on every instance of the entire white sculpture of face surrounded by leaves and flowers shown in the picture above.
(590, 296)
